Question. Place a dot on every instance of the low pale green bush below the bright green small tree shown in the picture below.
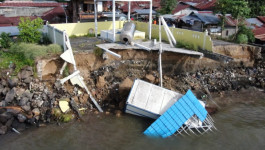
(32, 51)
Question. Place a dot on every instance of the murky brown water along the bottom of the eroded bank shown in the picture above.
(241, 126)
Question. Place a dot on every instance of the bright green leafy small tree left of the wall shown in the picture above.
(29, 31)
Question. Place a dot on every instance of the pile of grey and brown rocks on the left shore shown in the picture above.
(26, 101)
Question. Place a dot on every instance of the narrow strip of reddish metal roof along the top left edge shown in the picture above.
(28, 4)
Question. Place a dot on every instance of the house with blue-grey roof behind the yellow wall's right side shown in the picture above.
(199, 21)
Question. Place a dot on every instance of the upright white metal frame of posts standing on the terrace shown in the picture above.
(129, 12)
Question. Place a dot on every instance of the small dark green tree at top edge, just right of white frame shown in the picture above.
(167, 6)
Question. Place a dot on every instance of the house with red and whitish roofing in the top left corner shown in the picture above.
(11, 11)
